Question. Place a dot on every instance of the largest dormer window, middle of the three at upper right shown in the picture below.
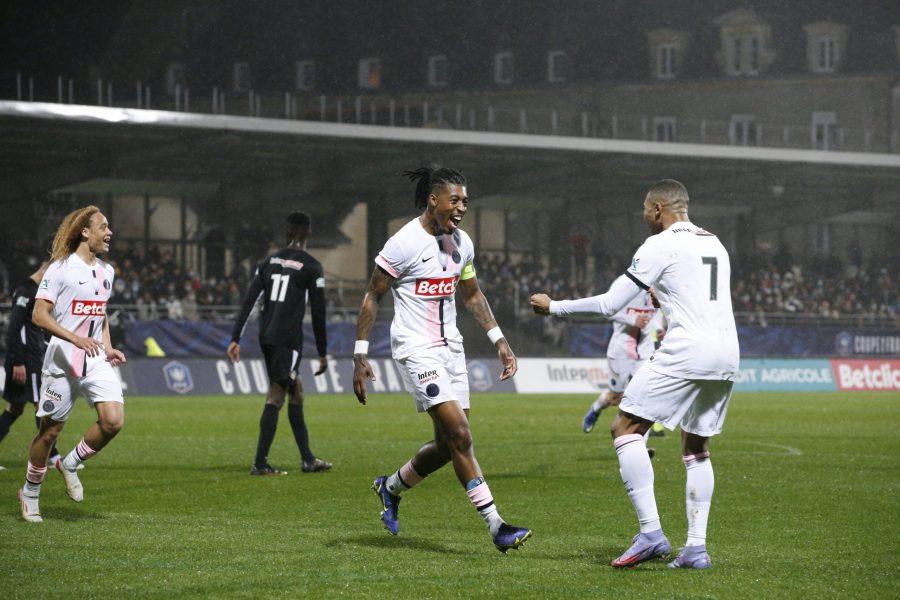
(746, 40)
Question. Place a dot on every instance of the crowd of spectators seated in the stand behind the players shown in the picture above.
(828, 287)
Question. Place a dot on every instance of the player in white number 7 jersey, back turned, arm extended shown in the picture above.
(688, 380)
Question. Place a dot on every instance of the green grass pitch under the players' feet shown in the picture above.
(807, 505)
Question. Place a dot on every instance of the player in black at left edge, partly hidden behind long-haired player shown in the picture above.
(25, 347)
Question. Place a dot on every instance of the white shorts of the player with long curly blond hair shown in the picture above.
(59, 392)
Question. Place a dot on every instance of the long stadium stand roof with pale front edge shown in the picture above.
(47, 147)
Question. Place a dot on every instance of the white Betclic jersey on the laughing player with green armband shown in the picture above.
(427, 269)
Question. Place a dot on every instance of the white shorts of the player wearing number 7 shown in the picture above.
(698, 406)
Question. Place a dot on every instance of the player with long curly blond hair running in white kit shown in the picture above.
(71, 305)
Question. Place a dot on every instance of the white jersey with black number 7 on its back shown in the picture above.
(690, 272)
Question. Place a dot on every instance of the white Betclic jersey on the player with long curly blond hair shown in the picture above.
(79, 293)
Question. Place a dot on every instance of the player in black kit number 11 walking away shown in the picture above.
(285, 280)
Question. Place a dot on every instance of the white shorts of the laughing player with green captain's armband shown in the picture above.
(435, 376)
